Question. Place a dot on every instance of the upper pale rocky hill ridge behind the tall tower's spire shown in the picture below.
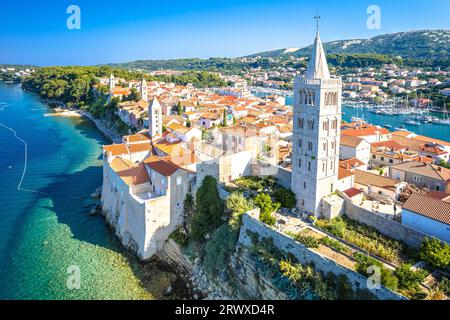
(423, 44)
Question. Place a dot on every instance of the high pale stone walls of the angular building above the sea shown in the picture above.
(143, 226)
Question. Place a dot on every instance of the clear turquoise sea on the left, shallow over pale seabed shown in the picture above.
(42, 233)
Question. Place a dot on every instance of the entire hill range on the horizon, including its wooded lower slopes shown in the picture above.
(426, 48)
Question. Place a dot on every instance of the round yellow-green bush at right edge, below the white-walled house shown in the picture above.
(435, 252)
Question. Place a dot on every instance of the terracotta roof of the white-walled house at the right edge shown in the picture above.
(429, 207)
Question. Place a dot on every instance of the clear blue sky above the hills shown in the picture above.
(35, 32)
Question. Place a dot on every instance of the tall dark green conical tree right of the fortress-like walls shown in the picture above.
(209, 209)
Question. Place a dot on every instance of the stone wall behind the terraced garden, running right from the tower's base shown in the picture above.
(390, 228)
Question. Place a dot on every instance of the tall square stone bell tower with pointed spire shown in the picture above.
(316, 137)
